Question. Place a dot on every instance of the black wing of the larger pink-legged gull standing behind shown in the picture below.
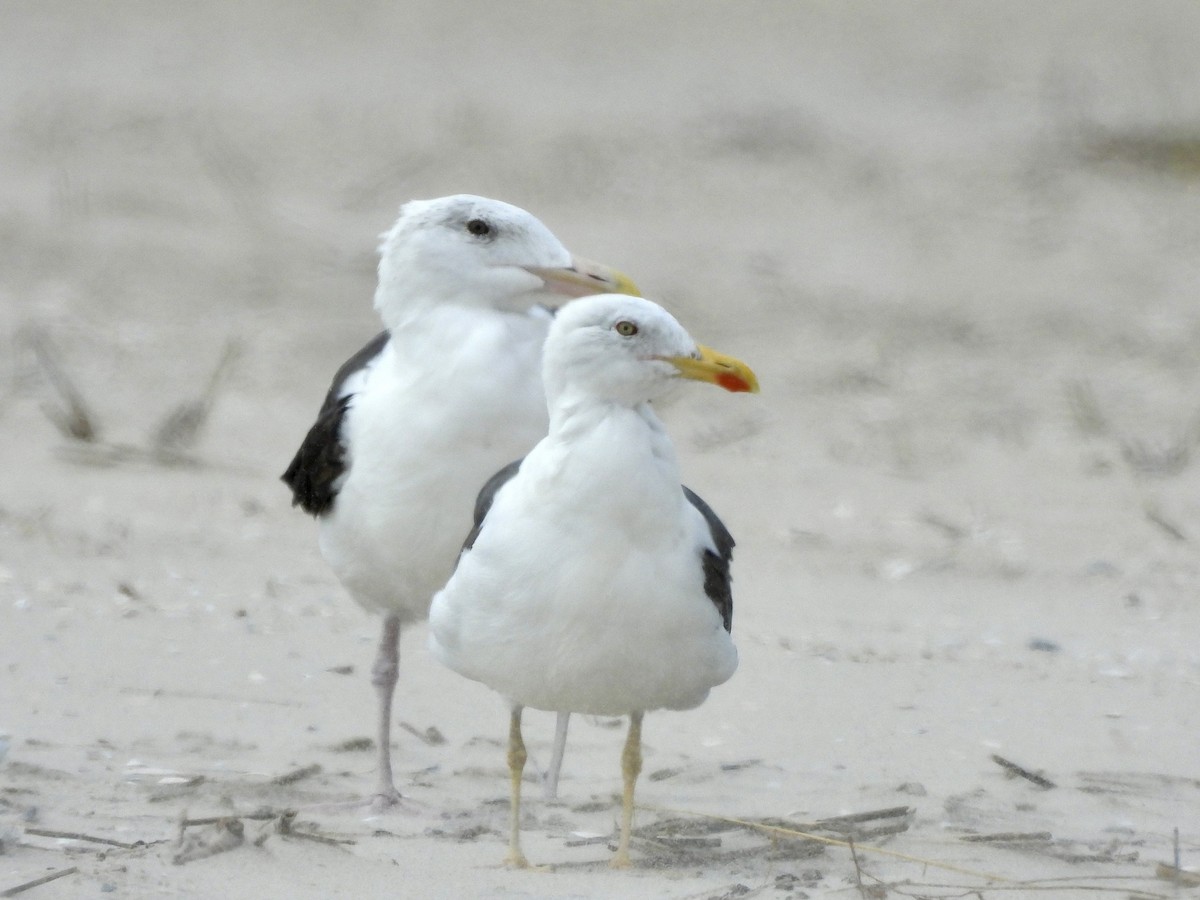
(321, 459)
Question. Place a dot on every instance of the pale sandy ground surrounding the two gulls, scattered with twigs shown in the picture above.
(958, 243)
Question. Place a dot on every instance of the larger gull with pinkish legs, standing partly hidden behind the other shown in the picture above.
(433, 406)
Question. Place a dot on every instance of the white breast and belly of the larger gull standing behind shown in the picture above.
(453, 400)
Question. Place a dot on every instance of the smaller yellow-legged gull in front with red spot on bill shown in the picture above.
(593, 580)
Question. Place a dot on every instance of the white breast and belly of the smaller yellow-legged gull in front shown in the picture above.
(585, 590)
